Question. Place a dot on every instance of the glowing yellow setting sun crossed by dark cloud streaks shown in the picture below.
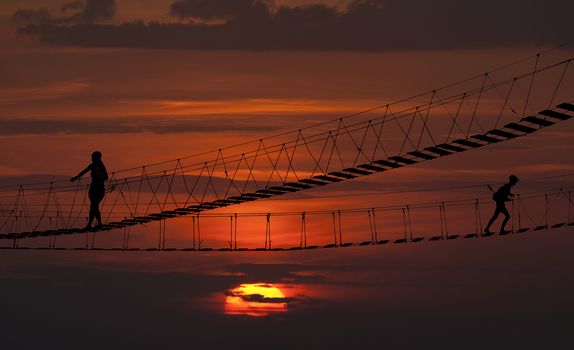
(255, 299)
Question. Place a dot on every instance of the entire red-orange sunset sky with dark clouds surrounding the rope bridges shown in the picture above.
(145, 81)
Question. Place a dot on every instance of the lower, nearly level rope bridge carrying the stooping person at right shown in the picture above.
(535, 211)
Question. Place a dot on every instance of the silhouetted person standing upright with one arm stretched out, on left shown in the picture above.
(97, 190)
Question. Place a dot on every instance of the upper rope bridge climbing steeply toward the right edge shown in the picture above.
(505, 104)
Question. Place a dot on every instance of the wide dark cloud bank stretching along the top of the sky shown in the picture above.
(365, 25)
